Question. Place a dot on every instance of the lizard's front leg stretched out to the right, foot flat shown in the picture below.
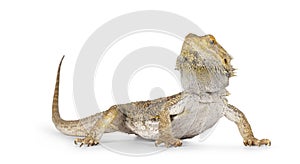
(235, 115)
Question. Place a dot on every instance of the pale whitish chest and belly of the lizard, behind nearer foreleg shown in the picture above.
(190, 117)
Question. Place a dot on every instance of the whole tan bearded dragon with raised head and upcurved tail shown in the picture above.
(205, 70)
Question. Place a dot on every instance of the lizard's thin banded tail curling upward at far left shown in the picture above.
(72, 127)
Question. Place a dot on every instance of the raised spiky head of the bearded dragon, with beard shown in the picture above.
(204, 63)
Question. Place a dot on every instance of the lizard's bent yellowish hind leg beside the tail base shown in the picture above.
(101, 125)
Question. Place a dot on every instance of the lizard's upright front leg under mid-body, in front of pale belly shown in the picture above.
(165, 130)
